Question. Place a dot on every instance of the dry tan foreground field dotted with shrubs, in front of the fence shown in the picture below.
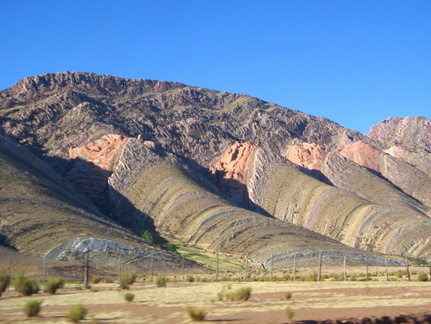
(310, 301)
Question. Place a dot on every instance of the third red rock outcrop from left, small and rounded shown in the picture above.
(307, 155)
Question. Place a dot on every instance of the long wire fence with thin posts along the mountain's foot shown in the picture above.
(86, 267)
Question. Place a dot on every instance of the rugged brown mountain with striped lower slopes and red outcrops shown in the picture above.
(215, 170)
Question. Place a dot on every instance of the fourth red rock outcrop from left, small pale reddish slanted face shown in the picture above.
(363, 154)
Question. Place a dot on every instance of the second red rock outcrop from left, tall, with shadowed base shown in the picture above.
(230, 173)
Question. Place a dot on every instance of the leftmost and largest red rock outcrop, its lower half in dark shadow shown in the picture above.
(93, 163)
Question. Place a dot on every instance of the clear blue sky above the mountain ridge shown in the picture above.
(354, 62)
